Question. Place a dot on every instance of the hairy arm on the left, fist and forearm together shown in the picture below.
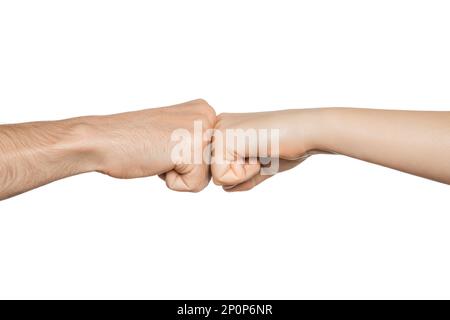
(128, 145)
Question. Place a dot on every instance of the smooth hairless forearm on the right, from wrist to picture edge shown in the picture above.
(417, 142)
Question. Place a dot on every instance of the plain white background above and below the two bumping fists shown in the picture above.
(334, 227)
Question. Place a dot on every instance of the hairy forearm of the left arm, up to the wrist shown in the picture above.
(34, 154)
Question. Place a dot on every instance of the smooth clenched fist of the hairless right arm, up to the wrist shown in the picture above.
(248, 148)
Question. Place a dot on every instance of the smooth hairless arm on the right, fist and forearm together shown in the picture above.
(415, 142)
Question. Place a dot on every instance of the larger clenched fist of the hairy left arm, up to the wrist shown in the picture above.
(157, 141)
